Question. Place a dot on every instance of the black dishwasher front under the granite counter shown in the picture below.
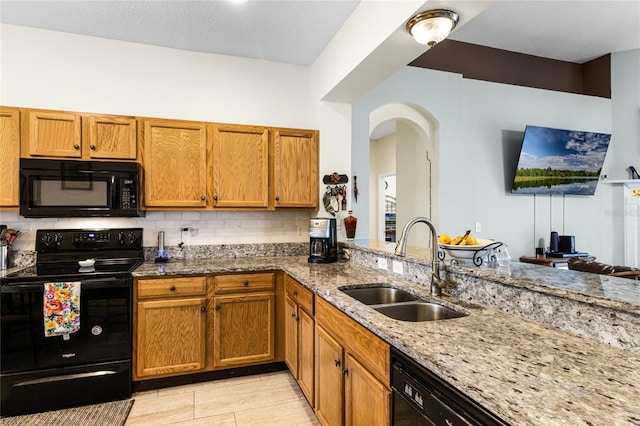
(422, 398)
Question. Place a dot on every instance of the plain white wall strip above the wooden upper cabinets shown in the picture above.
(49, 69)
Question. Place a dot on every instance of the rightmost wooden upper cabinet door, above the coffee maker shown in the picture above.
(296, 168)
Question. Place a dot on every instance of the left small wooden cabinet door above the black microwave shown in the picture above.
(52, 134)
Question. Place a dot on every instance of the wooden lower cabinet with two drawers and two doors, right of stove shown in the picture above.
(181, 325)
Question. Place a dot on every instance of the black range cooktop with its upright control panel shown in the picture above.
(117, 252)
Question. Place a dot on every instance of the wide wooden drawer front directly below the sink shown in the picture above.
(366, 347)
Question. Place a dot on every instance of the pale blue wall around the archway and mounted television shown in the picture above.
(481, 127)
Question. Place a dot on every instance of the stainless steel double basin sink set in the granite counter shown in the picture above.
(400, 304)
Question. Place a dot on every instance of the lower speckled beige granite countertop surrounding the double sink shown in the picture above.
(526, 372)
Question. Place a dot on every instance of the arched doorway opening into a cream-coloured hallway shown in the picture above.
(408, 151)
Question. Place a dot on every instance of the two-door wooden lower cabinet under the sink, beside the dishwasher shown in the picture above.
(352, 372)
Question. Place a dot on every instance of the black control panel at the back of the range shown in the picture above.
(67, 240)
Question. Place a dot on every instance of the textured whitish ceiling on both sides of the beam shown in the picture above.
(296, 32)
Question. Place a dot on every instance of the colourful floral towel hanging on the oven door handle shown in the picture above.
(61, 308)
